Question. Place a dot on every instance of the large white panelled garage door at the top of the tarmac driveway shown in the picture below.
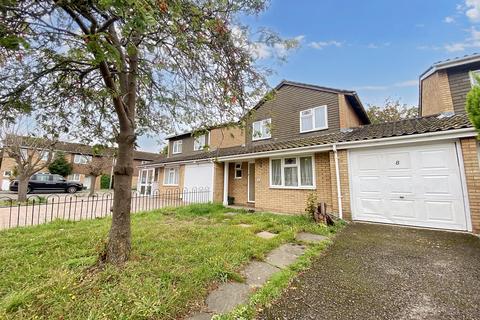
(416, 186)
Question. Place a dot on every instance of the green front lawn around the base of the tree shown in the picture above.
(178, 255)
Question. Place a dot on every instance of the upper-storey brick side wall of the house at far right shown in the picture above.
(436, 95)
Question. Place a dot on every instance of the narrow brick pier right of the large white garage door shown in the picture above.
(472, 174)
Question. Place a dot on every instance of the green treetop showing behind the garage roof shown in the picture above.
(393, 110)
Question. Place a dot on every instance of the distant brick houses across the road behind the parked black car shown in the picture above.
(79, 155)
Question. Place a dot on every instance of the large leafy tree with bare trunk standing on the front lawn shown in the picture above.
(121, 68)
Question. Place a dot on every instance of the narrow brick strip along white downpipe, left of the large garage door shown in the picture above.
(344, 183)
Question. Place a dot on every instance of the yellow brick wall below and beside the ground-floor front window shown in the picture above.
(292, 200)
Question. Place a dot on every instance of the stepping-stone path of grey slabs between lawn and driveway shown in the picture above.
(229, 295)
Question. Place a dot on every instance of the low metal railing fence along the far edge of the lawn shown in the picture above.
(38, 210)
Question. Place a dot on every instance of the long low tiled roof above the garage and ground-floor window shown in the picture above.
(407, 127)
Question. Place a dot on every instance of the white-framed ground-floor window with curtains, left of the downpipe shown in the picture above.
(292, 172)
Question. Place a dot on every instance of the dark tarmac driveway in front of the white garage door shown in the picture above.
(386, 272)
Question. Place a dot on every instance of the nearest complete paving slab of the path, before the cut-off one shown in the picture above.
(226, 297)
